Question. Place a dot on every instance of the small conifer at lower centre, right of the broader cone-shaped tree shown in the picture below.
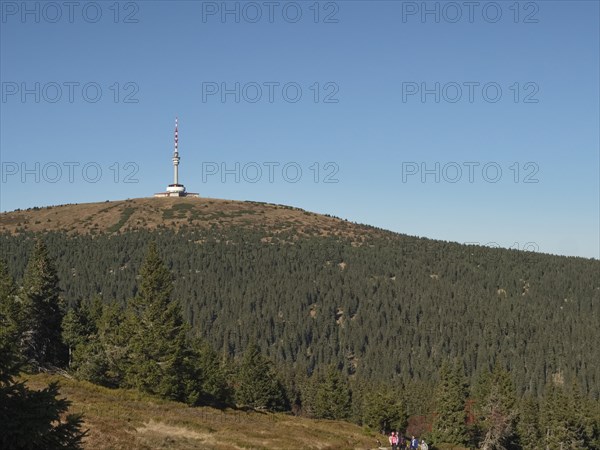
(333, 398)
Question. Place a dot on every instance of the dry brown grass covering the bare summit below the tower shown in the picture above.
(150, 213)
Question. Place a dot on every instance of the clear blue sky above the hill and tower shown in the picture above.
(473, 122)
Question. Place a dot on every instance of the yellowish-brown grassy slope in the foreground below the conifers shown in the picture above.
(125, 419)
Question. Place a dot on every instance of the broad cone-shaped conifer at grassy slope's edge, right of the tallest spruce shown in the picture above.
(257, 383)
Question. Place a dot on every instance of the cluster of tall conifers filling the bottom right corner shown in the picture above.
(490, 415)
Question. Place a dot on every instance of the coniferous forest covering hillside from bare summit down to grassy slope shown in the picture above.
(464, 345)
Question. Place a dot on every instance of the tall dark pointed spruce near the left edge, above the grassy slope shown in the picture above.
(40, 293)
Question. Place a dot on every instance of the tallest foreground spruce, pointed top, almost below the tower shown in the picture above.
(157, 344)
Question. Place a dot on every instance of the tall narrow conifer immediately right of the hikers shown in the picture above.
(449, 424)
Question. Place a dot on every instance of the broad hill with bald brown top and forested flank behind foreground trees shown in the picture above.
(313, 290)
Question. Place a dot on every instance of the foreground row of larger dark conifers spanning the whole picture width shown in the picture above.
(145, 343)
